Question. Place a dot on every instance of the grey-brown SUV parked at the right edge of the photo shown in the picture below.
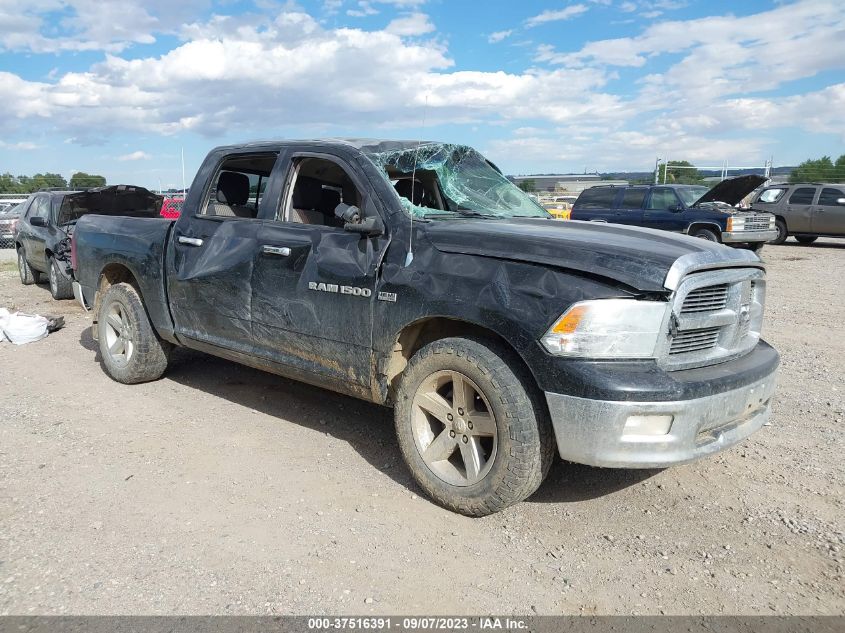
(804, 210)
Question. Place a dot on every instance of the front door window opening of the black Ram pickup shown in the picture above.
(318, 186)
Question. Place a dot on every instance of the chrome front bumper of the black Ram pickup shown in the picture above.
(593, 431)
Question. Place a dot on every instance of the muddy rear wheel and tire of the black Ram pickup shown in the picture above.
(131, 350)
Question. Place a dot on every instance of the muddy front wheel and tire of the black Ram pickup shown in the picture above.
(472, 427)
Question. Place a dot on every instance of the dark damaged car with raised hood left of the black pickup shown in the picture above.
(42, 234)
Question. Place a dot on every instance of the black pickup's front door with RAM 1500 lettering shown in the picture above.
(313, 285)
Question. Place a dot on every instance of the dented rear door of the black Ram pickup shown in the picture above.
(212, 253)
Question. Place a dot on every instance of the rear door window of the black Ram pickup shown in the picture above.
(238, 185)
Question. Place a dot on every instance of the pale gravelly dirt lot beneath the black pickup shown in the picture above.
(220, 489)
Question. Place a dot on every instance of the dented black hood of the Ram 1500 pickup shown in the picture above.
(637, 257)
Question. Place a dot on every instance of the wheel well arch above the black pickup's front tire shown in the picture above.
(420, 333)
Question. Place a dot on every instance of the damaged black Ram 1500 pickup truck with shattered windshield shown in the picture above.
(416, 276)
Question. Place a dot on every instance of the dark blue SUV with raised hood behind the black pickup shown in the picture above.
(695, 210)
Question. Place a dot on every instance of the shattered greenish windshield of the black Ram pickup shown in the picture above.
(444, 180)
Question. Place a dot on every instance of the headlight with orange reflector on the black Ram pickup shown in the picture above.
(607, 328)
